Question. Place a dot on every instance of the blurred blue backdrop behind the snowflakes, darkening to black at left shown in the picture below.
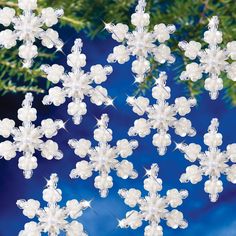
(205, 218)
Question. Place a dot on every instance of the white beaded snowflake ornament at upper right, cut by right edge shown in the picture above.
(212, 61)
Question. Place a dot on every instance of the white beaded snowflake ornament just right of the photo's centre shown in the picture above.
(161, 116)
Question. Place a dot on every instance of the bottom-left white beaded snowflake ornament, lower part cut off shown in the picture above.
(52, 219)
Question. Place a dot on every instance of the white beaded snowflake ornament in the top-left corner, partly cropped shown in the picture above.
(28, 27)
